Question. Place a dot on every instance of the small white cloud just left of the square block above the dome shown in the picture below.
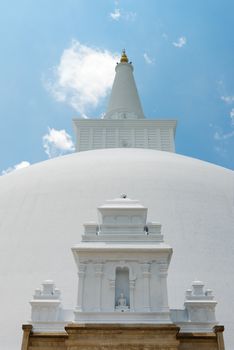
(57, 143)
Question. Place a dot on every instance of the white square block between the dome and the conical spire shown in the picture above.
(125, 133)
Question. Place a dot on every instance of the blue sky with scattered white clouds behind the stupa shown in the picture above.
(183, 57)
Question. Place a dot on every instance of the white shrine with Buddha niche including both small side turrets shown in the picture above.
(122, 264)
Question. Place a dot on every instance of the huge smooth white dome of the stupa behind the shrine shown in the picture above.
(43, 208)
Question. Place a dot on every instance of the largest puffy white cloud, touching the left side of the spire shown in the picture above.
(83, 77)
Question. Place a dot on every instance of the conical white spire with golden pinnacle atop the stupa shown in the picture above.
(124, 101)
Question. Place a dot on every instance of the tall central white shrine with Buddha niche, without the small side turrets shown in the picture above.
(129, 260)
